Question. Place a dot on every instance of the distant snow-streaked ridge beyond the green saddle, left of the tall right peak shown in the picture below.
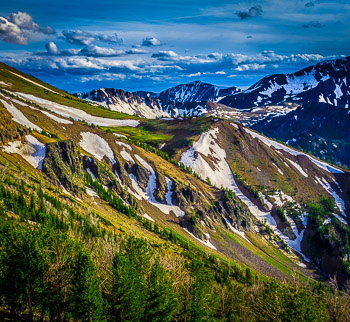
(193, 99)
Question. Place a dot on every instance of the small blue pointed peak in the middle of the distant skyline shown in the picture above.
(196, 92)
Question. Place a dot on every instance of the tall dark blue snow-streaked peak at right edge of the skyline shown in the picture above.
(326, 82)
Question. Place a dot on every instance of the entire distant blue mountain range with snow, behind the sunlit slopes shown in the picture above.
(273, 96)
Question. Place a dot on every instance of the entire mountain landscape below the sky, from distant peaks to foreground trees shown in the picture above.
(195, 203)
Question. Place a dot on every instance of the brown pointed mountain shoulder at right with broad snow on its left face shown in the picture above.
(279, 185)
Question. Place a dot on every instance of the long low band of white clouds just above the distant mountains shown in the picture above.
(164, 66)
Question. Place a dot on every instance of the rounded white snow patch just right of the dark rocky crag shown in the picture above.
(96, 146)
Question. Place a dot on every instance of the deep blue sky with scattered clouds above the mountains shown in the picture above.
(152, 45)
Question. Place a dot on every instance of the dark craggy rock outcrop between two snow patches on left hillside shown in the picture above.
(63, 165)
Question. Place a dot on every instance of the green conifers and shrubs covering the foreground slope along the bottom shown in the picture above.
(49, 270)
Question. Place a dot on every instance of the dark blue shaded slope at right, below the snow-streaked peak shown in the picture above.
(320, 128)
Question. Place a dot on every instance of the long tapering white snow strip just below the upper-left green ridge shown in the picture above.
(76, 114)
